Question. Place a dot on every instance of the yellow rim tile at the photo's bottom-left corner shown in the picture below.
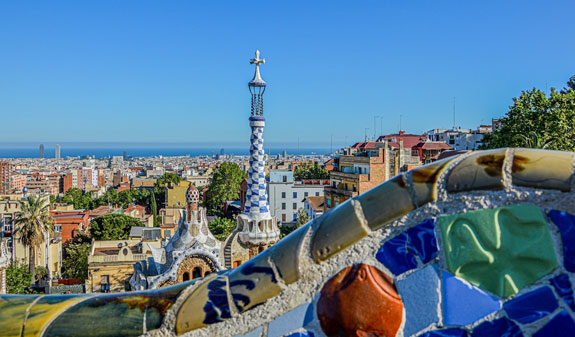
(13, 309)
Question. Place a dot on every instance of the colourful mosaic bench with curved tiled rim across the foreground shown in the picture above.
(476, 245)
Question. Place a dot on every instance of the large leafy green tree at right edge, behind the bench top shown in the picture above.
(537, 121)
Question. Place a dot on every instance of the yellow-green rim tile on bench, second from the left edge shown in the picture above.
(45, 310)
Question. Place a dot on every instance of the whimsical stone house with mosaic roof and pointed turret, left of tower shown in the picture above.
(192, 252)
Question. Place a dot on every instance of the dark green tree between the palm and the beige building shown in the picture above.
(75, 261)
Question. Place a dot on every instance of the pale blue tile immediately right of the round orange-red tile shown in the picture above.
(420, 299)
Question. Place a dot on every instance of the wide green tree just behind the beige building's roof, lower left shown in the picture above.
(112, 227)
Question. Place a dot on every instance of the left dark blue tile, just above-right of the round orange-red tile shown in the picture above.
(395, 256)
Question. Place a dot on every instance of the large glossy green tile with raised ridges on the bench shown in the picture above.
(500, 250)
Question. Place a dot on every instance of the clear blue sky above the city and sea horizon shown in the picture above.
(177, 71)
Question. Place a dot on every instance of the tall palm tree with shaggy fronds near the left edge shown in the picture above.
(32, 224)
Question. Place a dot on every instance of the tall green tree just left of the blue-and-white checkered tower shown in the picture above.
(224, 185)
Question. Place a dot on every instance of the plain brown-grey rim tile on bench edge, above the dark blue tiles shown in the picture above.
(386, 202)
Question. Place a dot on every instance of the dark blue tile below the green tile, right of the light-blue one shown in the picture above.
(531, 306)
